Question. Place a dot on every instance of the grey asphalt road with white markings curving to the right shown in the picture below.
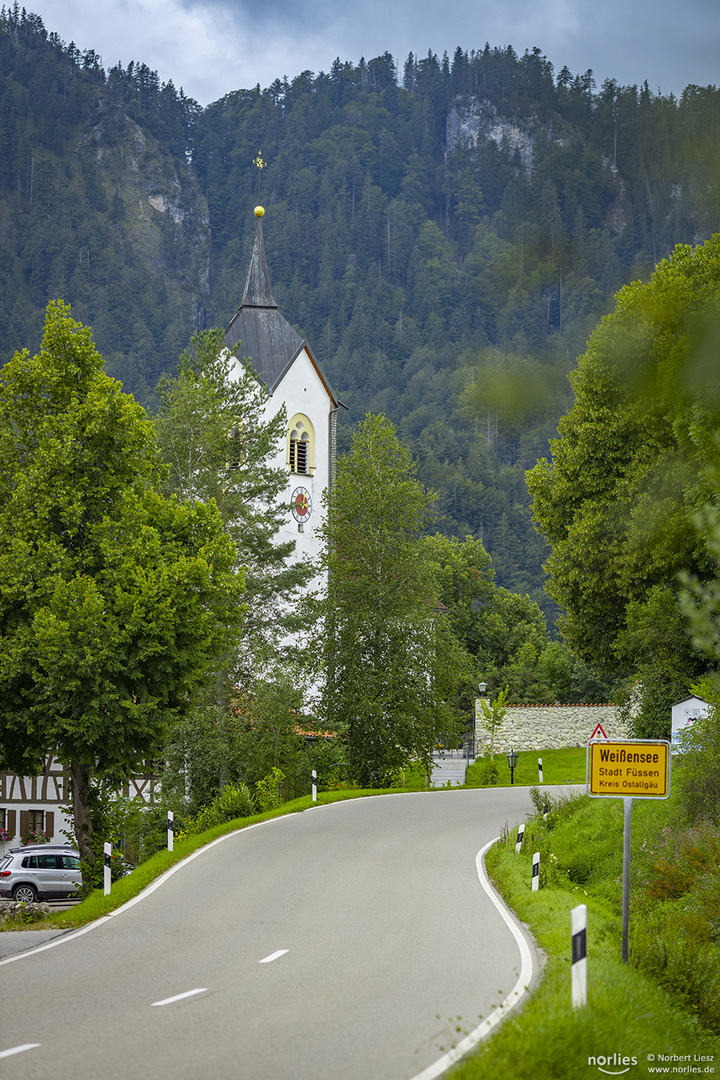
(352, 942)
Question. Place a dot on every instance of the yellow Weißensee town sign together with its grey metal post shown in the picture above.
(633, 769)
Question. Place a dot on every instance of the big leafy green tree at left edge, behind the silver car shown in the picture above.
(115, 602)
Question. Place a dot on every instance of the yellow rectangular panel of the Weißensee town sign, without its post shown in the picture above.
(634, 769)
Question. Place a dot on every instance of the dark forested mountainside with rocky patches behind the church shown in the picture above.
(446, 236)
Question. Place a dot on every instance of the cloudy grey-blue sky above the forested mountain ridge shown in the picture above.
(213, 47)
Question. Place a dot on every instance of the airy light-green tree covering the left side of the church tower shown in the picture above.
(214, 433)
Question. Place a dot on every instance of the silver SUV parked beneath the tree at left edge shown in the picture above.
(40, 872)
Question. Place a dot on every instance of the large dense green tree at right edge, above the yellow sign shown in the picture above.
(630, 474)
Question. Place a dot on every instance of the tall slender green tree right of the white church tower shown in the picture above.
(385, 643)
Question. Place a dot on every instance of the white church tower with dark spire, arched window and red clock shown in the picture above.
(284, 362)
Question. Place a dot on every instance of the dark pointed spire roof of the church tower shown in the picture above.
(268, 341)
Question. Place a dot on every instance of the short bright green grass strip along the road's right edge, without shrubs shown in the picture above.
(628, 1015)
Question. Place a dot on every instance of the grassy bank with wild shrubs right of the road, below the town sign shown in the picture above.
(657, 1018)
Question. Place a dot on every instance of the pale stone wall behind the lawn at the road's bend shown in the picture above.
(549, 727)
